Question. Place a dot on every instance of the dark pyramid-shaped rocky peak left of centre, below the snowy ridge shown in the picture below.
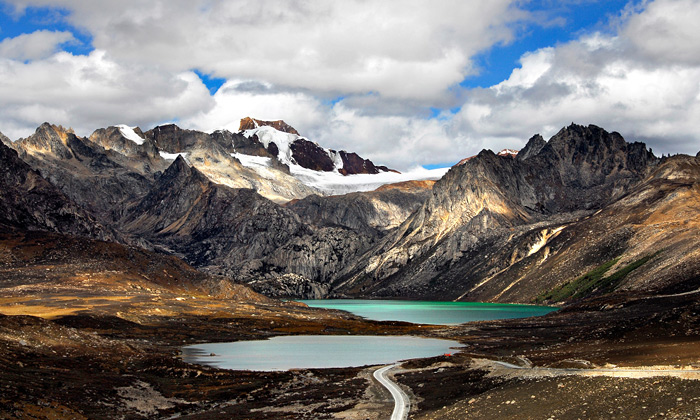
(207, 223)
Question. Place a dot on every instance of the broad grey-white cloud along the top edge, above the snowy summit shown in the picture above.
(408, 49)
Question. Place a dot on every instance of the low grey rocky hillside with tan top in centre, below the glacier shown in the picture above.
(342, 228)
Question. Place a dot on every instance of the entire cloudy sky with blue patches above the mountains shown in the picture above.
(403, 82)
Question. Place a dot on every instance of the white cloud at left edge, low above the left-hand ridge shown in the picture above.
(88, 92)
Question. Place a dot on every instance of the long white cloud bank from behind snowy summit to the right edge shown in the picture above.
(621, 81)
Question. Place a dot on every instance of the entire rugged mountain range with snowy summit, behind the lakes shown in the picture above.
(559, 221)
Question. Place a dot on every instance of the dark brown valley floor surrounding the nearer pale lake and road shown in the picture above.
(119, 358)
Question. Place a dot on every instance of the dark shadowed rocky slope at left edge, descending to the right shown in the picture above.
(30, 202)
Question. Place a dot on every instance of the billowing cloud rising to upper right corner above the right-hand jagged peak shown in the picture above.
(643, 81)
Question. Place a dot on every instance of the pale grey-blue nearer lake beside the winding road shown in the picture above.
(314, 351)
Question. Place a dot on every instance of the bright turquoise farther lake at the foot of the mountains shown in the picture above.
(438, 313)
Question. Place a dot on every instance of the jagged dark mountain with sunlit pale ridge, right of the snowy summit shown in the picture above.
(493, 204)
